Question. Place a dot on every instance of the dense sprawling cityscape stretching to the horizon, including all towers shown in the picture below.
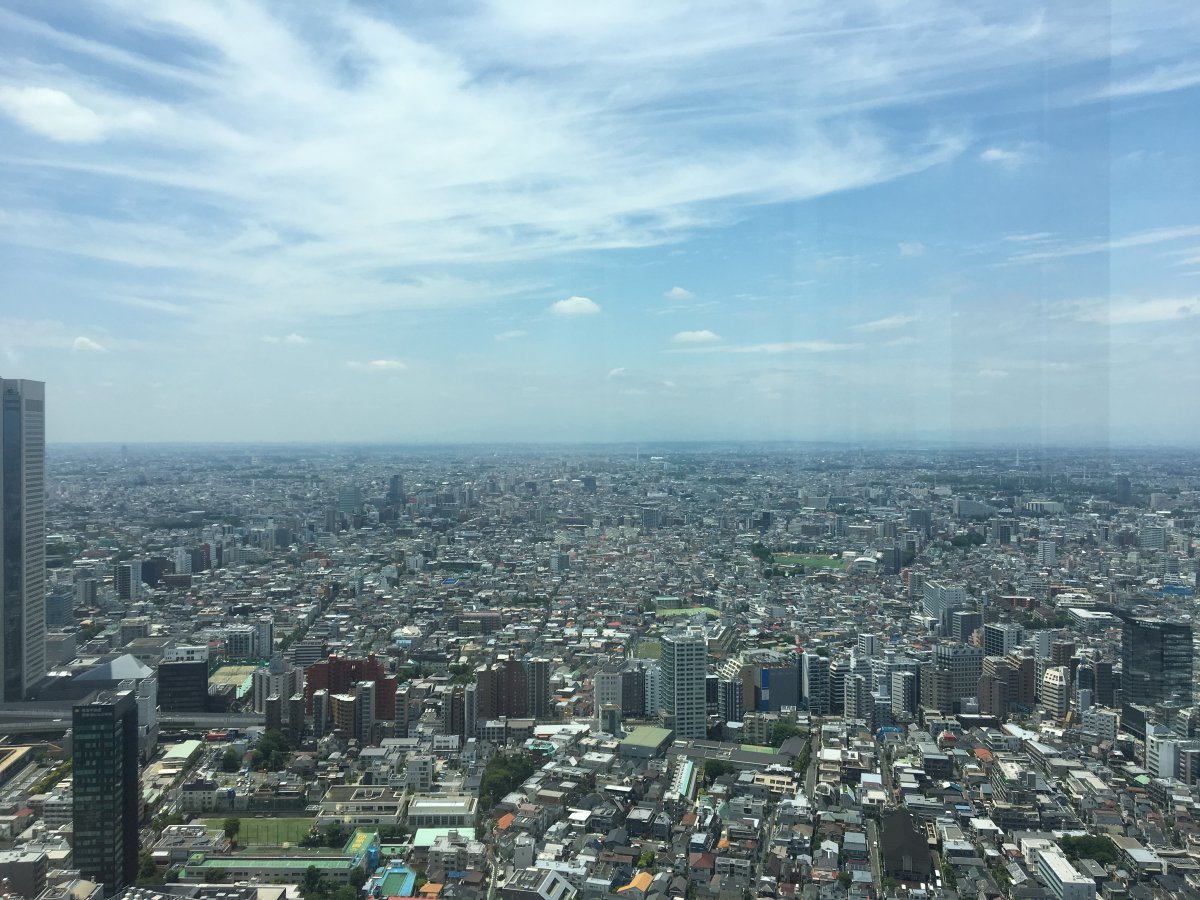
(598, 673)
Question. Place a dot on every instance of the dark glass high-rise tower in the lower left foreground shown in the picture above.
(107, 794)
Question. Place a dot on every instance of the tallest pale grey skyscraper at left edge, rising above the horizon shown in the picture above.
(22, 537)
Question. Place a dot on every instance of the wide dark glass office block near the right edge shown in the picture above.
(1157, 658)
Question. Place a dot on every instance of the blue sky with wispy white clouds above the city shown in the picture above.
(535, 220)
